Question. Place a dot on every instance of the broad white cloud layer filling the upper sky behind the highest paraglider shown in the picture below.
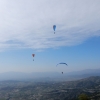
(28, 23)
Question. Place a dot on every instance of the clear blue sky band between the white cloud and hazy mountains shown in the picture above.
(78, 57)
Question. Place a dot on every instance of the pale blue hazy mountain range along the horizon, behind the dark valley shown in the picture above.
(49, 76)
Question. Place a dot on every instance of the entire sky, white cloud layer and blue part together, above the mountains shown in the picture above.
(27, 27)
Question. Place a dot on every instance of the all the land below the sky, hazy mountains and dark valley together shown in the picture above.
(59, 87)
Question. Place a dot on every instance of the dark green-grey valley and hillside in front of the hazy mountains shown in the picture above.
(66, 90)
